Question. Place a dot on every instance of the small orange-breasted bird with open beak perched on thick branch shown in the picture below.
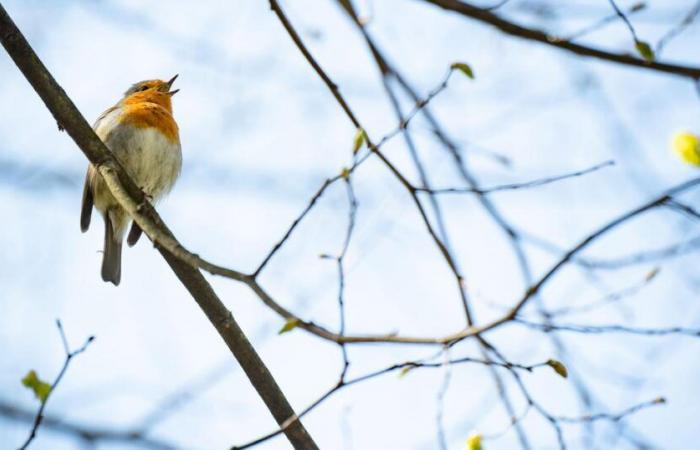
(142, 134)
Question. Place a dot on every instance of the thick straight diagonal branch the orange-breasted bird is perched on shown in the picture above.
(131, 197)
